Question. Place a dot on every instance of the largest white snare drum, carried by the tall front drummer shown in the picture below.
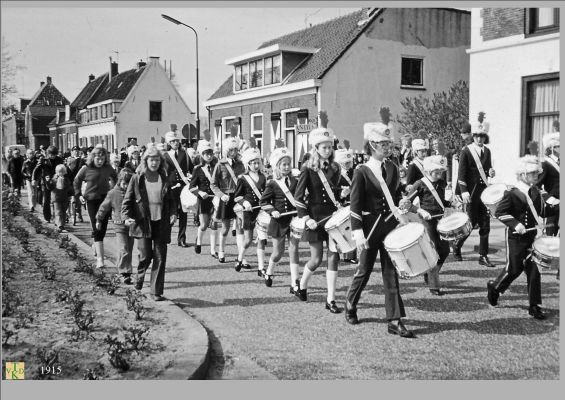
(411, 250)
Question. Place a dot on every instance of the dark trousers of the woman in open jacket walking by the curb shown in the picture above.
(152, 249)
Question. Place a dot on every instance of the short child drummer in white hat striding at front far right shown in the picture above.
(521, 209)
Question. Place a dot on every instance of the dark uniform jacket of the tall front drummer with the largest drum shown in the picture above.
(367, 196)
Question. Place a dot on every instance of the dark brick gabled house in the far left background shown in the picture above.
(39, 113)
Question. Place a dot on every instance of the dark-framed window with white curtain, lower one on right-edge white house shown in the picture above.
(540, 107)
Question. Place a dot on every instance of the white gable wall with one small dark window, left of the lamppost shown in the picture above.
(133, 118)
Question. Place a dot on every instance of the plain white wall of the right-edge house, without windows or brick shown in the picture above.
(496, 88)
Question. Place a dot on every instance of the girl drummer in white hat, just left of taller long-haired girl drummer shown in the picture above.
(278, 199)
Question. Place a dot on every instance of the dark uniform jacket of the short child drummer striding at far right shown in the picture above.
(514, 209)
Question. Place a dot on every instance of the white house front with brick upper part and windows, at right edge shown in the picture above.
(514, 79)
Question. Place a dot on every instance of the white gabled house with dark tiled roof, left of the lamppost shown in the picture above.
(139, 103)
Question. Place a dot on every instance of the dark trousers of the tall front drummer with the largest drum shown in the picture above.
(393, 302)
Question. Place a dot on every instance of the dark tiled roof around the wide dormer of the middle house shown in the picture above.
(332, 38)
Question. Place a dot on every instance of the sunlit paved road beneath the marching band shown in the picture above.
(265, 333)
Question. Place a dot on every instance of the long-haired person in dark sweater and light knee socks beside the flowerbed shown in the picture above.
(99, 177)
